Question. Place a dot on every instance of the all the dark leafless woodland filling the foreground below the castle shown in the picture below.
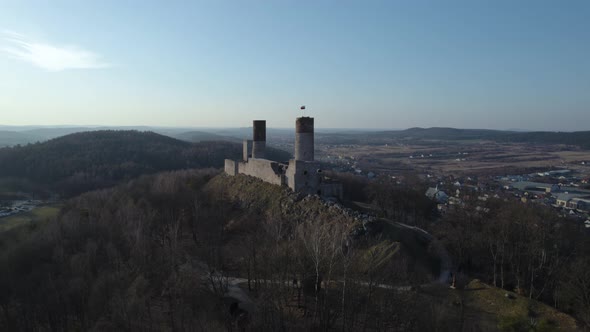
(193, 250)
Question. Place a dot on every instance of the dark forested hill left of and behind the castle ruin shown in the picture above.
(84, 161)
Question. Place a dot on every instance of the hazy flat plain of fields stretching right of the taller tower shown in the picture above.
(457, 157)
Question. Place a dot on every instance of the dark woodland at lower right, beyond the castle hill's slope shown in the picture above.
(525, 248)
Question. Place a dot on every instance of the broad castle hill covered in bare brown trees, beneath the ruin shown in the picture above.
(191, 247)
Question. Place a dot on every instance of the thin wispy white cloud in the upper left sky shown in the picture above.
(47, 56)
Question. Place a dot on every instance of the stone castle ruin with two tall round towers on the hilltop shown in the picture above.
(302, 174)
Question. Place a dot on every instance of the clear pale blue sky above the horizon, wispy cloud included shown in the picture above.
(355, 64)
